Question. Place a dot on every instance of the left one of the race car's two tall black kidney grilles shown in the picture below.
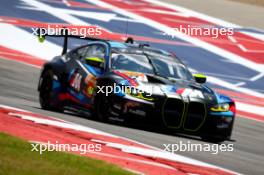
(173, 110)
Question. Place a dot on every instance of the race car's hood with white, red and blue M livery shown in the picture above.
(157, 85)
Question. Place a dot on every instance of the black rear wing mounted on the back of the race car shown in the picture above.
(64, 32)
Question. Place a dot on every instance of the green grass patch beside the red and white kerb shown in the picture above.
(16, 158)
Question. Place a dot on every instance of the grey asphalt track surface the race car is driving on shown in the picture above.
(18, 84)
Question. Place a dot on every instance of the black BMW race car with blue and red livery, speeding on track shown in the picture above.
(125, 81)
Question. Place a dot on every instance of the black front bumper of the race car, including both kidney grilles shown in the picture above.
(188, 115)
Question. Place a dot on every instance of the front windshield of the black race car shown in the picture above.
(157, 64)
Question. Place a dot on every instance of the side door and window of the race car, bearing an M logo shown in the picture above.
(82, 74)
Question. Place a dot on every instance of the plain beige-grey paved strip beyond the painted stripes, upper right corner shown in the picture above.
(237, 12)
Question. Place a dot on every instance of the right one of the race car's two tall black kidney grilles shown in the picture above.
(195, 116)
